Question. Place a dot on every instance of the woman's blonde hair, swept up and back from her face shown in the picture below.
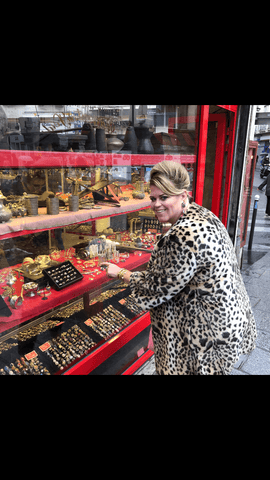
(170, 177)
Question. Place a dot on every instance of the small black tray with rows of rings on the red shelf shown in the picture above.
(62, 275)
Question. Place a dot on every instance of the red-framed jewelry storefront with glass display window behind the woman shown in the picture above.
(102, 155)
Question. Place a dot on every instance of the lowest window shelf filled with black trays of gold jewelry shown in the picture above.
(57, 344)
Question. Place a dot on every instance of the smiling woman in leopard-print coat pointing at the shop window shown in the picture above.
(200, 311)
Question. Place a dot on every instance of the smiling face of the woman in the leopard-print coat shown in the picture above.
(167, 209)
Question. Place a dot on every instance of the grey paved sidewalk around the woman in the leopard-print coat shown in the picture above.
(257, 281)
